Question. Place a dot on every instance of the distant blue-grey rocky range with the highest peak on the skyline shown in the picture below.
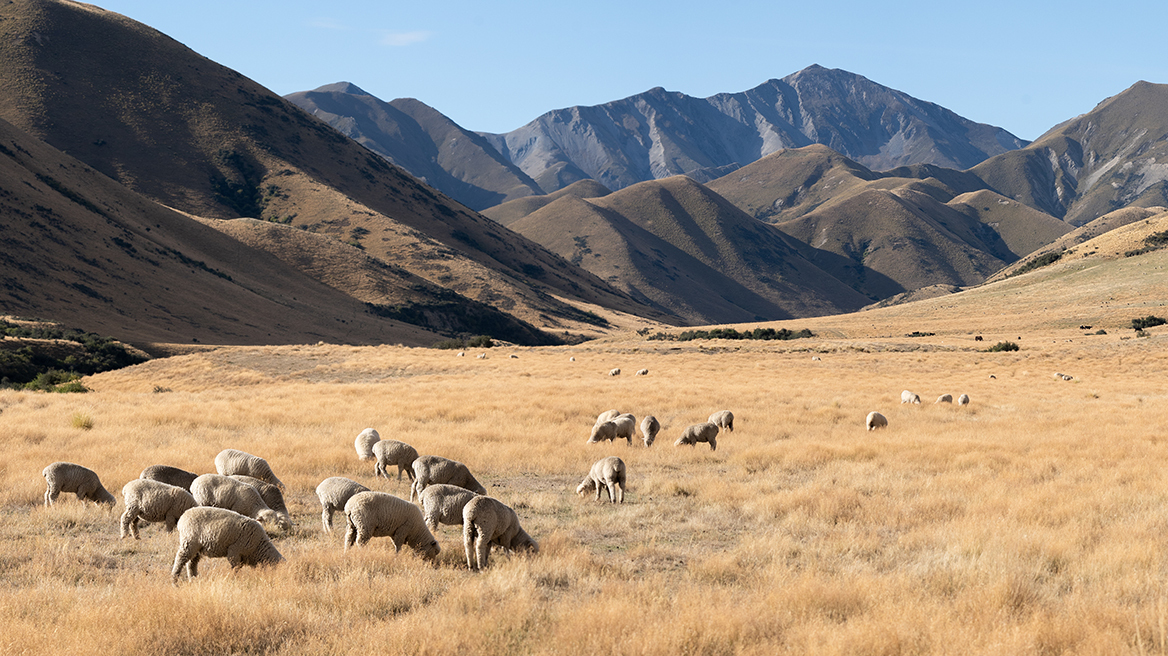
(662, 134)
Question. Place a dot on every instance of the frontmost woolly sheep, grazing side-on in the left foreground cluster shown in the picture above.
(218, 533)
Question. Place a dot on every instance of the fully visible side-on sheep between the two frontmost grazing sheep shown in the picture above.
(376, 515)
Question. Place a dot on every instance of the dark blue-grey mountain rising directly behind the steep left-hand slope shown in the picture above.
(423, 142)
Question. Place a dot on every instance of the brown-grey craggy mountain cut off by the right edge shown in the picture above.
(1113, 157)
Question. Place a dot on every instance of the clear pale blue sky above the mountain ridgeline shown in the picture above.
(492, 67)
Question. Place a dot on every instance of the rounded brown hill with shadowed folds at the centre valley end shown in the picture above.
(679, 247)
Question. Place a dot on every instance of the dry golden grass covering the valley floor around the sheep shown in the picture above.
(1032, 522)
